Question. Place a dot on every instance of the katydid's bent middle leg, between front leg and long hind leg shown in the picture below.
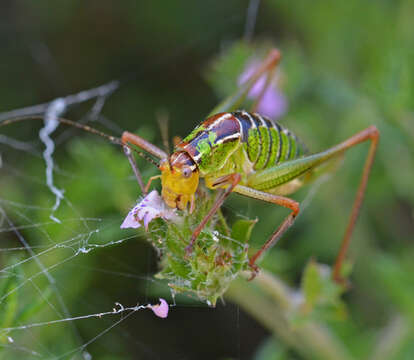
(286, 224)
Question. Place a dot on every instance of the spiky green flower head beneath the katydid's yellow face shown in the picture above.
(216, 259)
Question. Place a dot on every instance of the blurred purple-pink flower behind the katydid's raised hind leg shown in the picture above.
(273, 103)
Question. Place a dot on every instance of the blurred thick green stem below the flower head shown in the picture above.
(269, 301)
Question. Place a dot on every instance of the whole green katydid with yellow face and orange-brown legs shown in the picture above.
(245, 153)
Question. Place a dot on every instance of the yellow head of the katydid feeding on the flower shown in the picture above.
(179, 179)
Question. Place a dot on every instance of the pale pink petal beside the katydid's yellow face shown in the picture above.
(149, 208)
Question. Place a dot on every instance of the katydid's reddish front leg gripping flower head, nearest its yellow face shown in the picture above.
(232, 180)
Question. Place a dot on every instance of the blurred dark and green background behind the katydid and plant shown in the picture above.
(346, 65)
